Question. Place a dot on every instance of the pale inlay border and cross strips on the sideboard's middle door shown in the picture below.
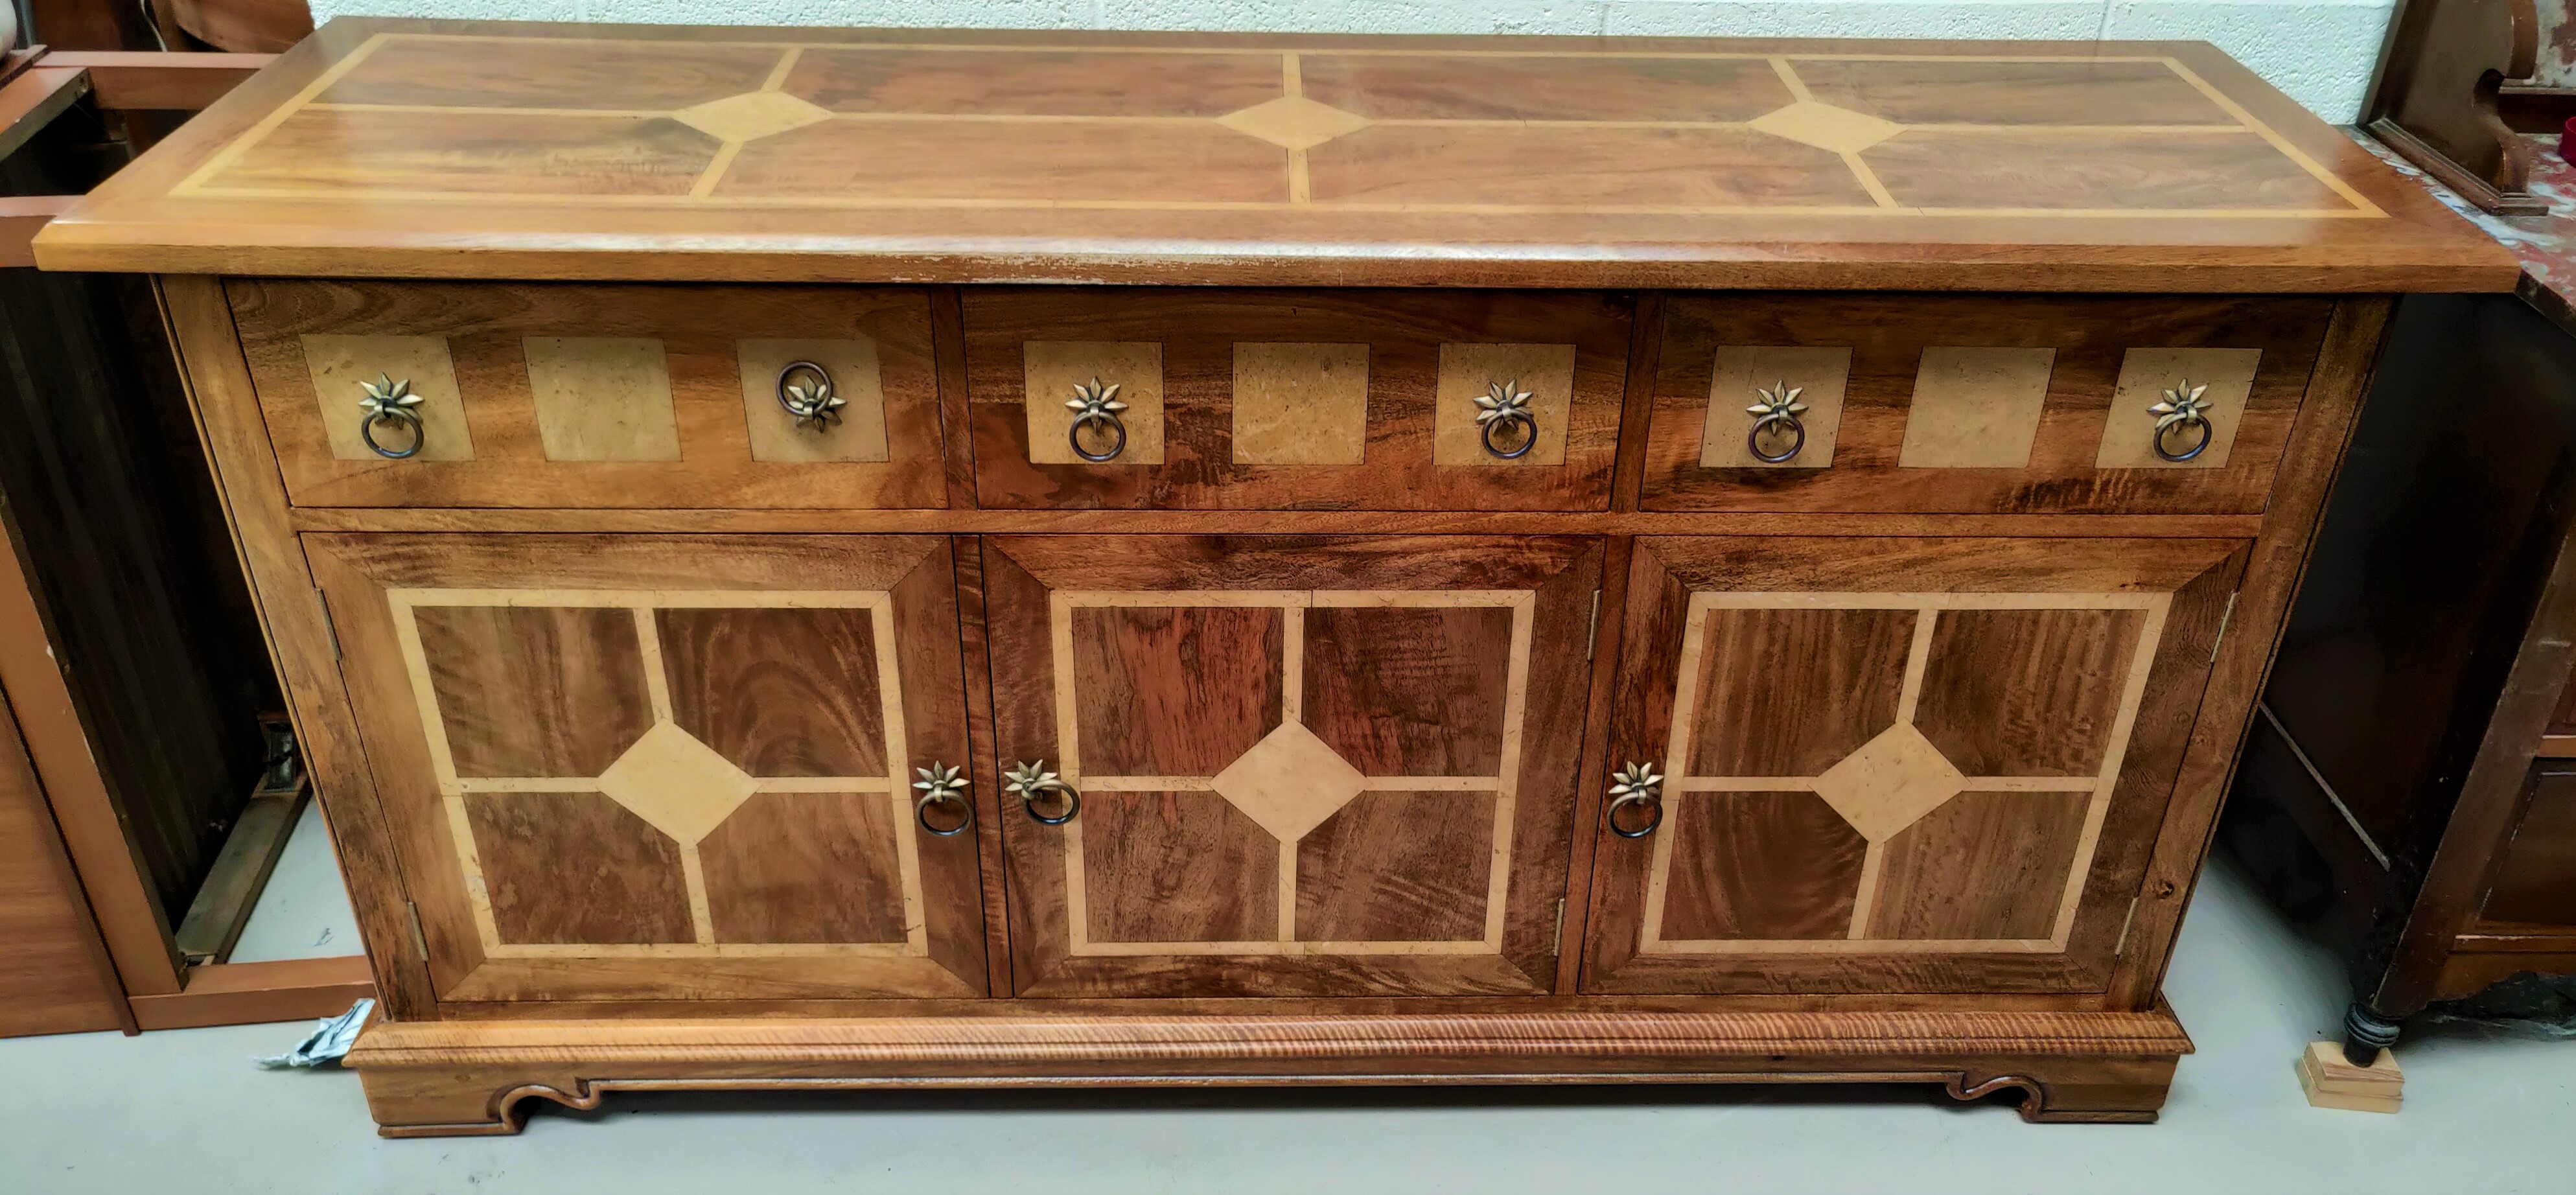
(1294, 607)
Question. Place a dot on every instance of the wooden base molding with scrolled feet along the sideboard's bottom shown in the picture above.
(475, 1078)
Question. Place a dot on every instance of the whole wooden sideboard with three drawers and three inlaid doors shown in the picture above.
(972, 560)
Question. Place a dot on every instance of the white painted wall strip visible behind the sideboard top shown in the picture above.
(2315, 50)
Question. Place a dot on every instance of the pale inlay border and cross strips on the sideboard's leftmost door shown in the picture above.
(643, 604)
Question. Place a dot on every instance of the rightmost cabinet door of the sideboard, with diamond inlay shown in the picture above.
(1897, 764)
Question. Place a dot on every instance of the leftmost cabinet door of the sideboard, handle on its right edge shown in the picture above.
(666, 766)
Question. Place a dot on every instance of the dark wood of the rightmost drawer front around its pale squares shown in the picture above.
(2090, 341)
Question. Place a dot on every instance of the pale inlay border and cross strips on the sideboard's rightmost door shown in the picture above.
(2103, 784)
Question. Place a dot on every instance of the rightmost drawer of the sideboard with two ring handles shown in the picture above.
(1975, 403)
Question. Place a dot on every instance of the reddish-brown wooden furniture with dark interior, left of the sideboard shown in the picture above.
(130, 655)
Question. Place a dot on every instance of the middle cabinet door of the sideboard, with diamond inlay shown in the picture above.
(1307, 766)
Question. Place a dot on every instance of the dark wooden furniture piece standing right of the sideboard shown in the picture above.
(2412, 779)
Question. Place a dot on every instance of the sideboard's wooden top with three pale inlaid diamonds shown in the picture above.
(511, 151)
